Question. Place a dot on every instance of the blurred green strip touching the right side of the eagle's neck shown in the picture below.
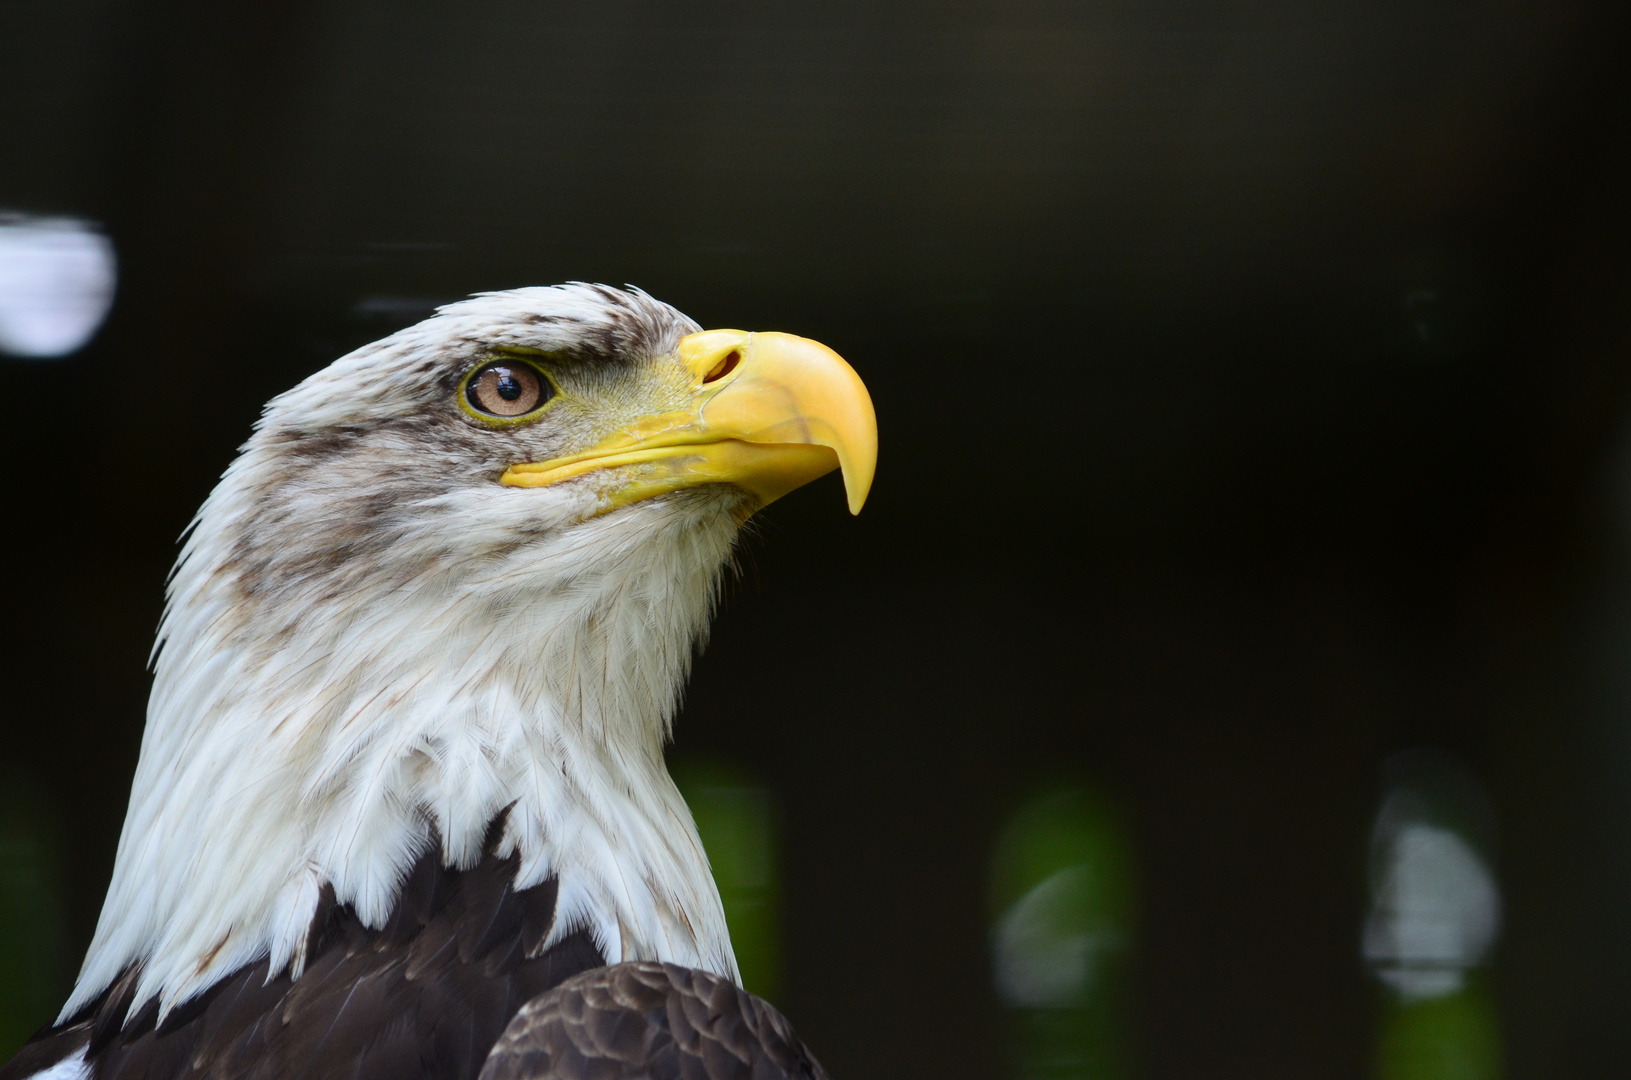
(736, 820)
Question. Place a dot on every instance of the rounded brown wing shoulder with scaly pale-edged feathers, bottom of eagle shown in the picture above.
(650, 1022)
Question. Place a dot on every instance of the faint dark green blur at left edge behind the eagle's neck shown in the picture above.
(33, 968)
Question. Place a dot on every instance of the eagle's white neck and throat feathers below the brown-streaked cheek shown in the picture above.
(322, 730)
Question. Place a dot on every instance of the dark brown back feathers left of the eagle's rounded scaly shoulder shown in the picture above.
(423, 998)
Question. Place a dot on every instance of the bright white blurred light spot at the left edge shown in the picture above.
(58, 280)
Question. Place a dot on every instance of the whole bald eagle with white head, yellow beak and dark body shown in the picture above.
(402, 805)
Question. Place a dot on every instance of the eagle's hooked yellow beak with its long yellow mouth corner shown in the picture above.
(769, 414)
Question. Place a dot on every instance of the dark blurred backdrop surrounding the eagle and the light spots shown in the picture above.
(1253, 384)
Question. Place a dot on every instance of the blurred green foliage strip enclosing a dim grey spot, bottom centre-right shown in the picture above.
(1063, 901)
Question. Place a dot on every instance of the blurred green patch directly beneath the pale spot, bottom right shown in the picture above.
(1444, 1038)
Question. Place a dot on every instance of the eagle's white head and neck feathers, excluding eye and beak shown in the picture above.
(371, 644)
